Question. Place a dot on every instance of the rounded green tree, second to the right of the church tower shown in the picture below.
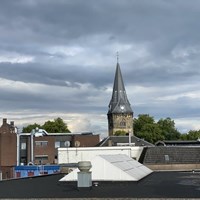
(168, 129)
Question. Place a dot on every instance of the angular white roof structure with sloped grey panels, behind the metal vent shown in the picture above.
(117, 167)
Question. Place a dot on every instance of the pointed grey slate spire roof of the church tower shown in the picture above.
(119, 102)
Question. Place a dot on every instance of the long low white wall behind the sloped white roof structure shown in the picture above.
(77, 154)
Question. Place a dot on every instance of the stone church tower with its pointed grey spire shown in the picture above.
(120, 114)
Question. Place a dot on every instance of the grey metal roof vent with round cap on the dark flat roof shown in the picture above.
(84, 176)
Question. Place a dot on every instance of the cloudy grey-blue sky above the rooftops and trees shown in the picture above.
(58, 59)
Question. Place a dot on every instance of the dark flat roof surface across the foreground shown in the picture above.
(157, 185)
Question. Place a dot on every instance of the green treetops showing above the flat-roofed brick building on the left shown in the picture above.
(56, 126)
